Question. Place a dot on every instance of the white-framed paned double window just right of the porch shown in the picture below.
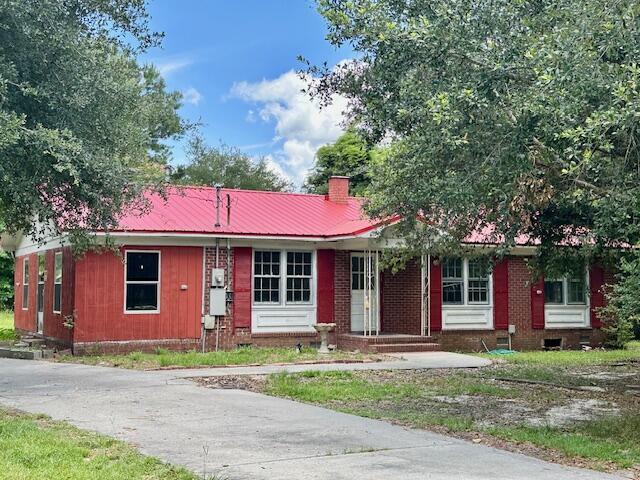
(465, 281)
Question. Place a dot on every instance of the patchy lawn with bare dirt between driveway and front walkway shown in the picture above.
(577, 408)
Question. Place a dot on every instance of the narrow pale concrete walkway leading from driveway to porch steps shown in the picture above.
(404, 361)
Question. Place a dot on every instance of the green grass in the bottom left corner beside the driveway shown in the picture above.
(35, 447)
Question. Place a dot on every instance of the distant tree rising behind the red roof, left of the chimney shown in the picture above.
(227, 166)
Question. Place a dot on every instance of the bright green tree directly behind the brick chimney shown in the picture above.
(349, 155)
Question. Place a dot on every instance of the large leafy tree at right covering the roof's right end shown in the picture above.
(519, 115)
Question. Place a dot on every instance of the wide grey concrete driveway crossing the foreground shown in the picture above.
(252, 436)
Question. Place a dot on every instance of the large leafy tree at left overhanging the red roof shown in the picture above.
(81, 122)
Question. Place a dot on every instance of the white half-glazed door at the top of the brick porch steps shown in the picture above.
(358, 294)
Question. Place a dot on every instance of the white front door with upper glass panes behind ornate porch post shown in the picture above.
(363, 290)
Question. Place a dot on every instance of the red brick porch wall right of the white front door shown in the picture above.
(401, 297)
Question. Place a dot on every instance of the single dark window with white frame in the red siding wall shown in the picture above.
(142, 282)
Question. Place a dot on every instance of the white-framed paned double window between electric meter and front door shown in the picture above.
(290, 285)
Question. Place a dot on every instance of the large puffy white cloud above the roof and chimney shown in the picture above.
(300, 124)
